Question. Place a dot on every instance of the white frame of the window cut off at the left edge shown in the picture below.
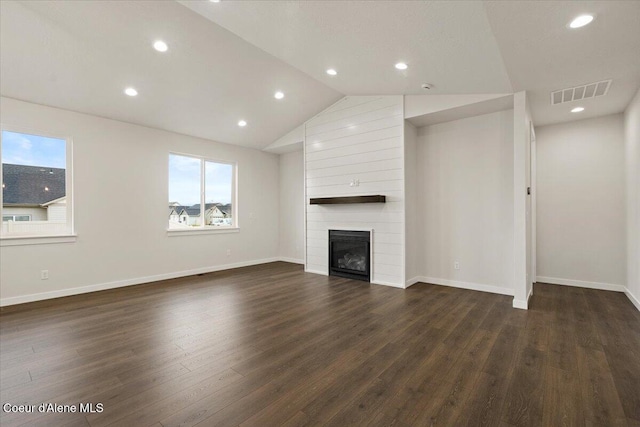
(38, 239)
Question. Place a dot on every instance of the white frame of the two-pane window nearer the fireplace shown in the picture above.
(202, 228)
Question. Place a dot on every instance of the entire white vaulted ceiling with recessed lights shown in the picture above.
(227, 59)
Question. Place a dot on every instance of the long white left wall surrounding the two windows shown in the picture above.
(119, 167)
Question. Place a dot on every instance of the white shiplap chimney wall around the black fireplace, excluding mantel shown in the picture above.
(360, 137)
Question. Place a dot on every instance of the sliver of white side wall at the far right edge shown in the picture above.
(632, 151)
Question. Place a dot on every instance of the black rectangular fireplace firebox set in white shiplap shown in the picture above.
(349, 254)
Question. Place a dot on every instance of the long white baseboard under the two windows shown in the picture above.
(127, 282)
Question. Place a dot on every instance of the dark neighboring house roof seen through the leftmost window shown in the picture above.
(31, 185)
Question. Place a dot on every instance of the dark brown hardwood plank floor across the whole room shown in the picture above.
(272, 346)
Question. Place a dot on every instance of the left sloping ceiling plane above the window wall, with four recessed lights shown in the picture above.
(81, 55)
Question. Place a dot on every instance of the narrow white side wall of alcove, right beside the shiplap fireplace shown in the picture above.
(413, 246)
